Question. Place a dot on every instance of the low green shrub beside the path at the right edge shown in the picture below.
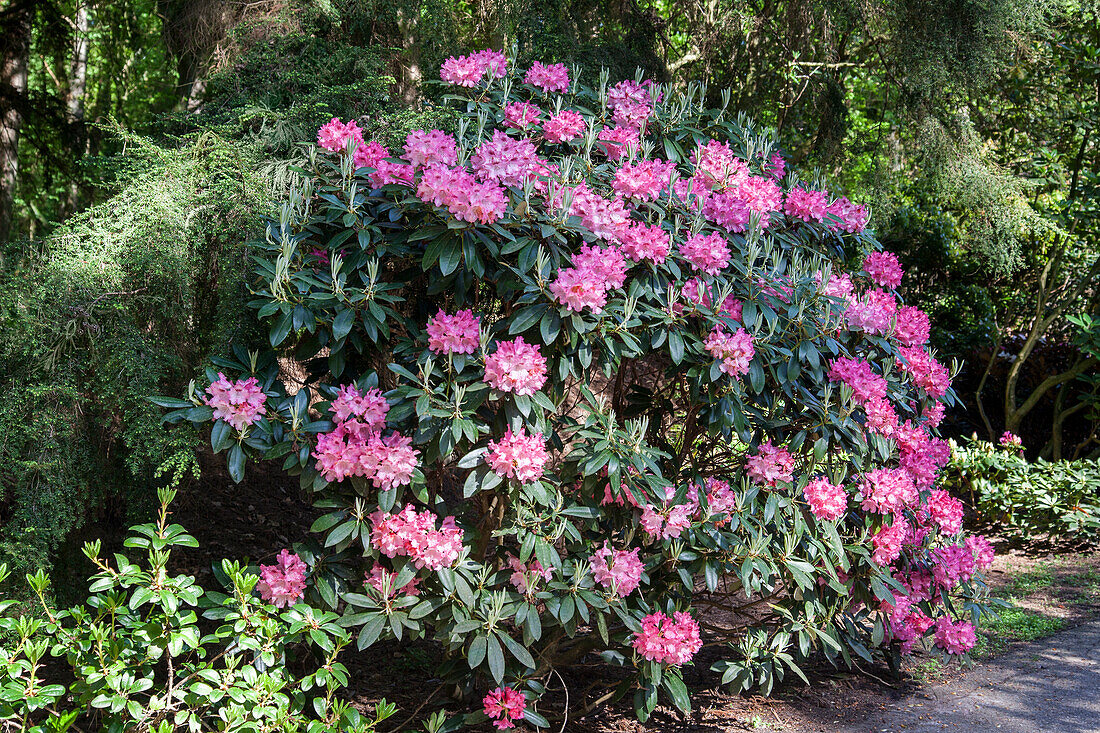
(1002, 487)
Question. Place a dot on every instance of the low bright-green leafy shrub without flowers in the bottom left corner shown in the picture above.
(137, 657)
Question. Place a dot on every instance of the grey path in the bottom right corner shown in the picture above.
(1052, 685)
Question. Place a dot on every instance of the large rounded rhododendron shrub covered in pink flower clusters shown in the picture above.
(600, 375)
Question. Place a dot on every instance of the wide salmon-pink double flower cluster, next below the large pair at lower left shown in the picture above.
(413, 534)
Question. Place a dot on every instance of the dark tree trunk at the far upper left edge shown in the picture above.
(16, 29)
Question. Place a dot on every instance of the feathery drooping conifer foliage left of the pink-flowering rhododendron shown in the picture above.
(124, 302)
